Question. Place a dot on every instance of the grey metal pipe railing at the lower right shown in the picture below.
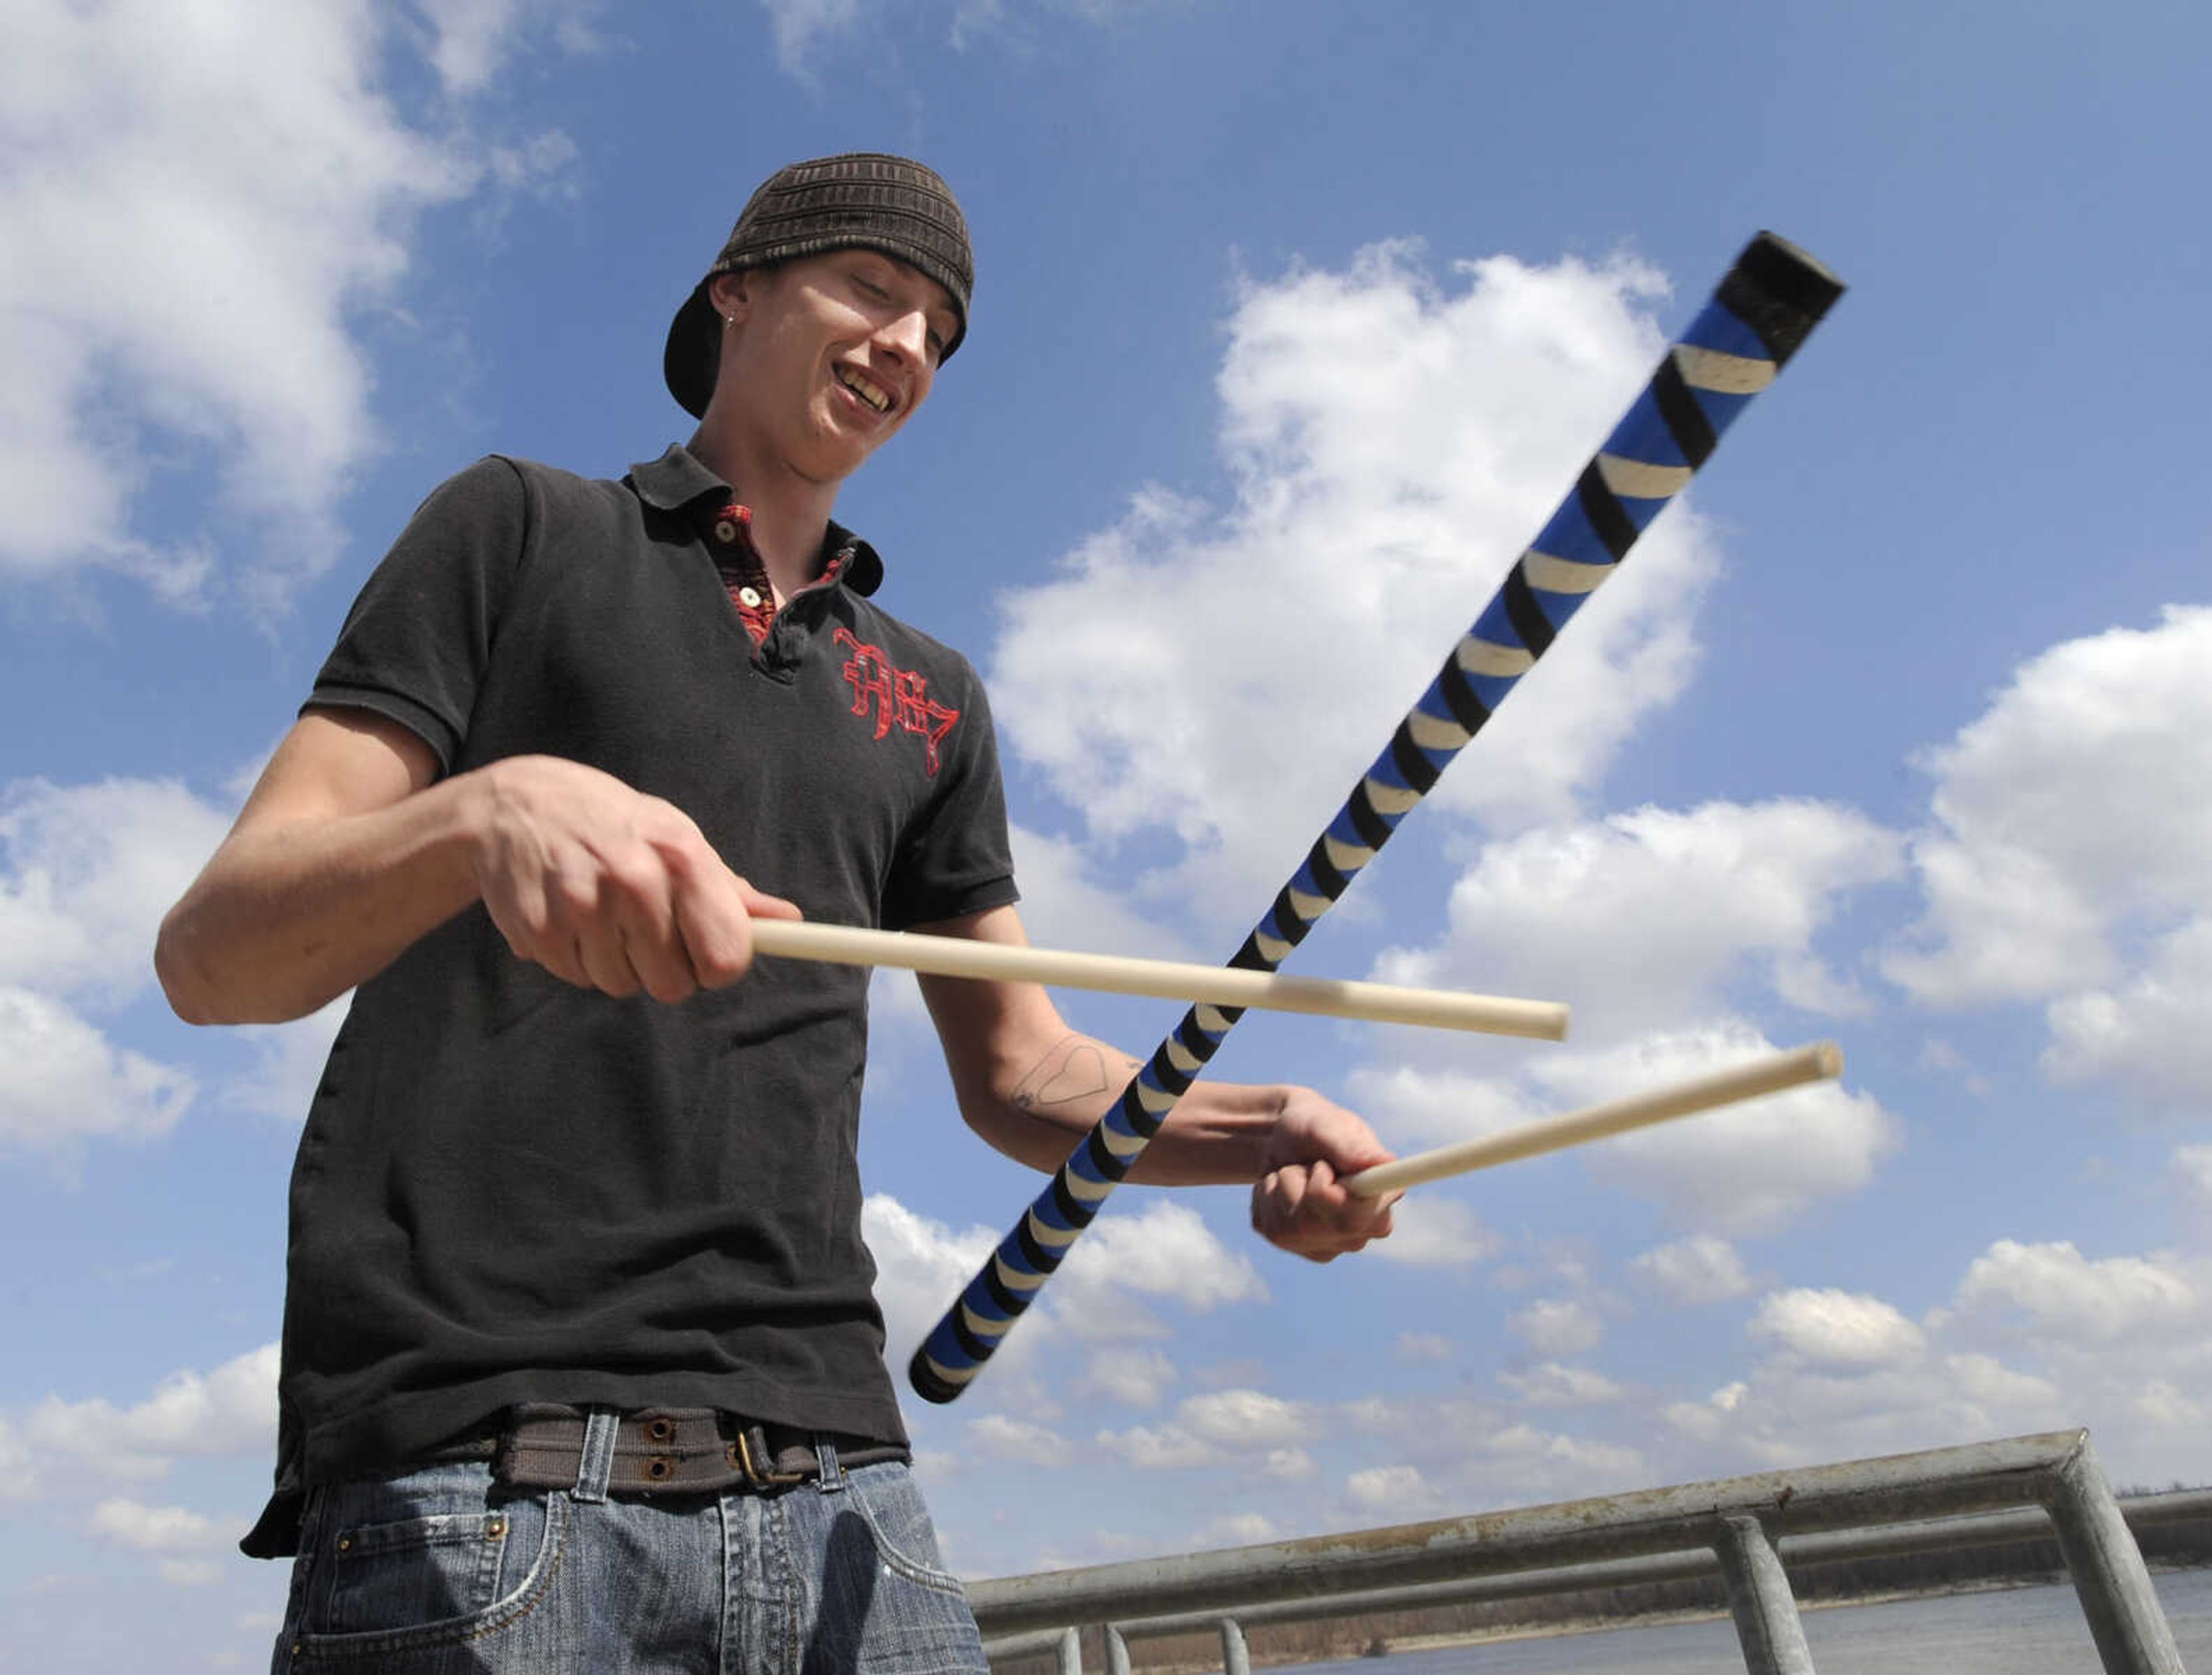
(1746, 1530)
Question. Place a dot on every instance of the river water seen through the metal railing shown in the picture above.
(2010, 1632)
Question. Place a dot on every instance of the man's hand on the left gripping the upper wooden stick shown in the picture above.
(609, 888)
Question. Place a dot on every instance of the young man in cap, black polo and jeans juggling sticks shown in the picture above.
(581, 1362)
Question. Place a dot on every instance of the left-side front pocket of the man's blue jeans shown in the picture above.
(424, 1561)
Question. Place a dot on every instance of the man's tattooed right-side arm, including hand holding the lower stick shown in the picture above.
(1034, 1088)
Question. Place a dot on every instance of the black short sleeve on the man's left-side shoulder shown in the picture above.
(417, 643)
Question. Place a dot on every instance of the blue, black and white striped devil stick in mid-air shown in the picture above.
(1755, 322)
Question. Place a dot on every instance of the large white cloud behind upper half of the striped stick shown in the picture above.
(1426, 426)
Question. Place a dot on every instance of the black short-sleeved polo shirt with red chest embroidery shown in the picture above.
(521, 1192)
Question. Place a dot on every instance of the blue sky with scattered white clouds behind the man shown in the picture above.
(1293, 324)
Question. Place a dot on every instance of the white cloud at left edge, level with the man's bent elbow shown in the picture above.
(87, 873)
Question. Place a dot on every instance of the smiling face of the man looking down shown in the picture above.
(831, 357)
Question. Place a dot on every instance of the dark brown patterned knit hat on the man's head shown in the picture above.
(862, 198)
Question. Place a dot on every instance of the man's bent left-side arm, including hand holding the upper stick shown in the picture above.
(351, 849)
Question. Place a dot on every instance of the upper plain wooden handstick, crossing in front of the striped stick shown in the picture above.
(1213, 986)
